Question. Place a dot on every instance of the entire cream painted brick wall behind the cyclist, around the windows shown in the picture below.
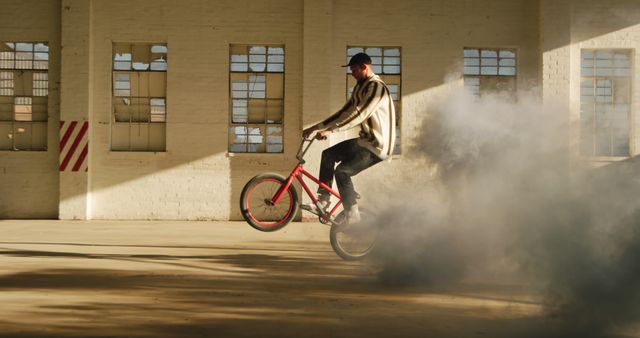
(196, 178)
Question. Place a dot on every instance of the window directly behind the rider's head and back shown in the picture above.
(385, 62)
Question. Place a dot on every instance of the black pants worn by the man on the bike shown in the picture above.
(353, 159)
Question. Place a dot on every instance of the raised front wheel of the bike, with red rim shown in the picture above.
(257, 207)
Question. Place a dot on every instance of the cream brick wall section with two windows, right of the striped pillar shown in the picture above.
(195, 178)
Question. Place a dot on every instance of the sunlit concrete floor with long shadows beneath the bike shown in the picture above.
(224, 279)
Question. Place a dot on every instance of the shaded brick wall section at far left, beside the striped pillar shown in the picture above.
(29, 179)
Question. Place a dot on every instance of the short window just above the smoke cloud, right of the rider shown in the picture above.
(489, 70)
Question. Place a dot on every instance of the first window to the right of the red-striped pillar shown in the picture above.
(139, 119)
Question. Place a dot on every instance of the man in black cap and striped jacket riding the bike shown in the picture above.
(370, 108)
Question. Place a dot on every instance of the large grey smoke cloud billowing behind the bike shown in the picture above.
(501, 201)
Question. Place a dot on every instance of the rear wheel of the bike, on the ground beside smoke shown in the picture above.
(355, 241)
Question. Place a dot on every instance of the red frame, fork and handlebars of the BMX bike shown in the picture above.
(299, 173)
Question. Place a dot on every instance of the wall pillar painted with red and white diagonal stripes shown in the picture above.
(75, 107)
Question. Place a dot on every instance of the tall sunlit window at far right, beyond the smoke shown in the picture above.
(605, 101)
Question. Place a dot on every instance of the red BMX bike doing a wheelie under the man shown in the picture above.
(270, 201)
